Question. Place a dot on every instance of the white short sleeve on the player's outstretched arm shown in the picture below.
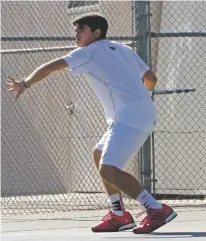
(79, 59)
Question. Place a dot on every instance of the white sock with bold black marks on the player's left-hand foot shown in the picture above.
(117, 204)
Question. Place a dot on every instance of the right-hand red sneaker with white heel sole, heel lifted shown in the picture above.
(155, 219)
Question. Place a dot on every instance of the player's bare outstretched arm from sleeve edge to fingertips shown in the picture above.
(39, 74)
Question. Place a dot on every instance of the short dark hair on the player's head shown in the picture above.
(94, 21)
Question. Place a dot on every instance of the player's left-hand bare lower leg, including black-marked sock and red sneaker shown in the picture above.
(118, 219)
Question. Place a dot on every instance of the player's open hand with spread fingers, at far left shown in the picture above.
(16, 86)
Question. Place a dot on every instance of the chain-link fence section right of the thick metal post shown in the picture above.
(179, 31)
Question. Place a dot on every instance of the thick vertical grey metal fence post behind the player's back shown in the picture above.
(141, 27)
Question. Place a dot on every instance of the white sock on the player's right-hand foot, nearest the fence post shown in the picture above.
(147, 200)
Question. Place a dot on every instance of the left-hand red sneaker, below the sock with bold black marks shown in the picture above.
(113, 223)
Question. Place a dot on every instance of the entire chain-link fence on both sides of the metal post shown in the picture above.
(49, 134)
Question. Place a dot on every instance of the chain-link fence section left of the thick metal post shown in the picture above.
(46, 144)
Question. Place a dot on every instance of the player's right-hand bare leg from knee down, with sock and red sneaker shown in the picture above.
(158, 214)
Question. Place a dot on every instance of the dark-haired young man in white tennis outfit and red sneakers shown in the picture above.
(116, 73)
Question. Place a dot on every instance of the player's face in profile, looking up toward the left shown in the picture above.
(84, 36)
